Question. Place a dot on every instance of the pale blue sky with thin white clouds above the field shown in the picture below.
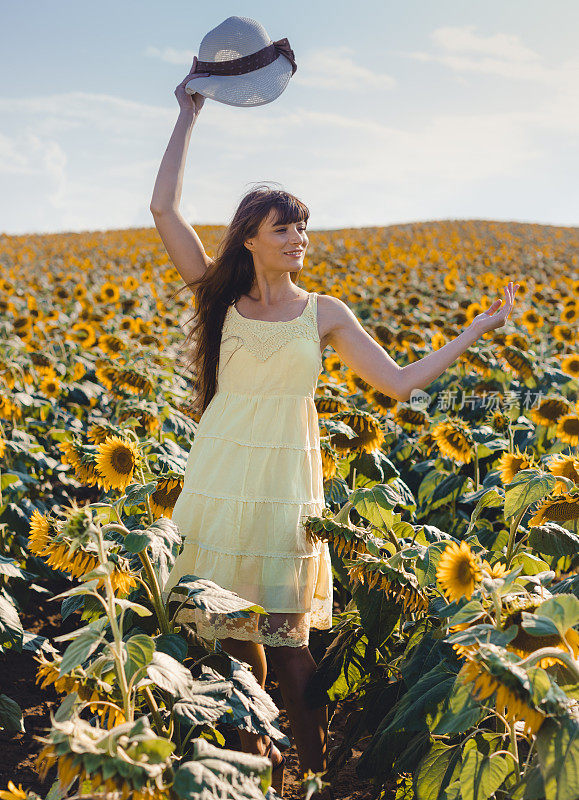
(399, 111)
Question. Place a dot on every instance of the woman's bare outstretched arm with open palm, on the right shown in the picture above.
(368, 359)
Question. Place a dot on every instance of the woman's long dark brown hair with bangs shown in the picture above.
(231, 275)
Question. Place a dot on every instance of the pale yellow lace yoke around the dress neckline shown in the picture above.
(263, 344)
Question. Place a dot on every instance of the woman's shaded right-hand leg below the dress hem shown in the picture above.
(293, 667)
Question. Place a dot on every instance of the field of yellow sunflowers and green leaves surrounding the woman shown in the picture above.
(452, 522)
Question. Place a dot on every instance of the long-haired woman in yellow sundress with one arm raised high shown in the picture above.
(254, 470)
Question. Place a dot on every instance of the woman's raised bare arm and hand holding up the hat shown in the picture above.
(184, 247)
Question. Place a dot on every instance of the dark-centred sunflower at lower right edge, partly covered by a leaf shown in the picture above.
(524, 644)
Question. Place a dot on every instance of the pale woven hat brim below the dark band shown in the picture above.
(250, 89)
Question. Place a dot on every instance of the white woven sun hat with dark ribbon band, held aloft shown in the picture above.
(247, 68)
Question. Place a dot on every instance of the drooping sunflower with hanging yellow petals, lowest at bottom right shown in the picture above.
(513, 700)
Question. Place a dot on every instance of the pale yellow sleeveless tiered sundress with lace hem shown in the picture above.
(253, 473)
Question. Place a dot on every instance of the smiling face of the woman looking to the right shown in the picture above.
(279, 246)
